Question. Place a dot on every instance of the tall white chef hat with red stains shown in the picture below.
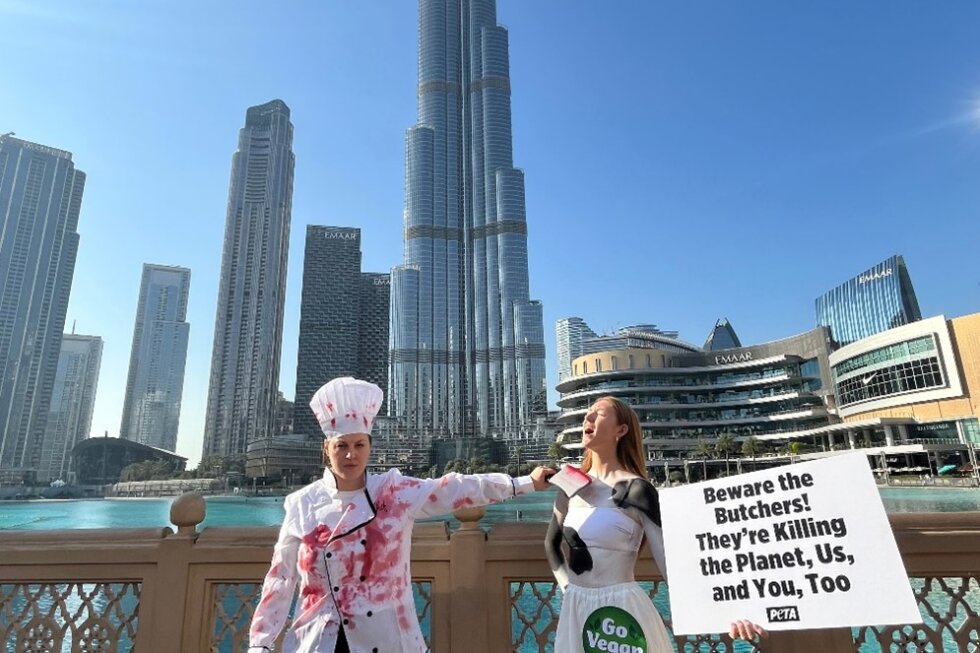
(346, 405)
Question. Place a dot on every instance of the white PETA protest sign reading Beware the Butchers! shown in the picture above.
(798, 546)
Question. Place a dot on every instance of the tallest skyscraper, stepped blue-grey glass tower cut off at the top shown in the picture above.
(467, 346)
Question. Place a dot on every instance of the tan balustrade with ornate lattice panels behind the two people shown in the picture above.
(156, 591)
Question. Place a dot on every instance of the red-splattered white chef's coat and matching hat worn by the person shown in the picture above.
(349, 551)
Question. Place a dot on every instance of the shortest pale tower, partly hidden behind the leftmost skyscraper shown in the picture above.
(72, 401)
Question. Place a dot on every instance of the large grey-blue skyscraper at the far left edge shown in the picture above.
(40, 199)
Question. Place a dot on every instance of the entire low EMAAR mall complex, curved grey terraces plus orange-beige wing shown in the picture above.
(906, 396)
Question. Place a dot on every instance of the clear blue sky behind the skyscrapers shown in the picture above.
(684, 161)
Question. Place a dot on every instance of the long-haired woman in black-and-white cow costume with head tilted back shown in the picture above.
(601, 527)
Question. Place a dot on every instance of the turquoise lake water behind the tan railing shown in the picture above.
(267, 511)
